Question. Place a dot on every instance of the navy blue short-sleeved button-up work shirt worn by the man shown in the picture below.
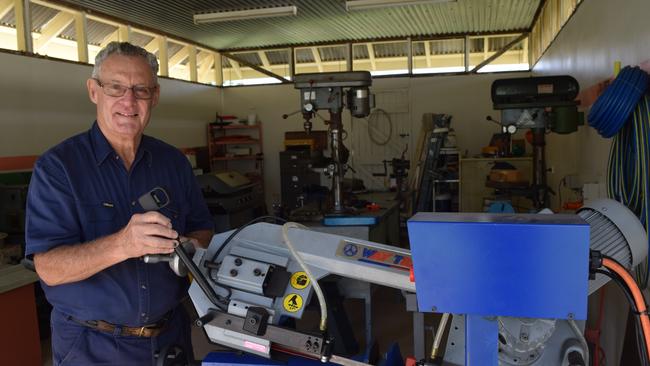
(80, 190)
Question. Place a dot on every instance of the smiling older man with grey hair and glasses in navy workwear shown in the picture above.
(86, 230)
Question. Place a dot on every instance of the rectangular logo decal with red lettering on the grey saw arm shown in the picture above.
(367, 254)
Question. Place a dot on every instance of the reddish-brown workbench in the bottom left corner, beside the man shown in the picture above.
(19, 337)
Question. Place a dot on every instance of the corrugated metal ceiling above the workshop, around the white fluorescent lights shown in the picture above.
(319, 21)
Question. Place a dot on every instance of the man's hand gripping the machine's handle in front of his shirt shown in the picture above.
(147, 233)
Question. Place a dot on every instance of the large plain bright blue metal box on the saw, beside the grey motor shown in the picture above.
(518, 265)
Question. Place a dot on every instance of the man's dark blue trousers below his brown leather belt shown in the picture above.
(76, 344)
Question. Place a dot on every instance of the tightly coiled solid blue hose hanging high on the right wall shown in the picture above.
(615, 105)
